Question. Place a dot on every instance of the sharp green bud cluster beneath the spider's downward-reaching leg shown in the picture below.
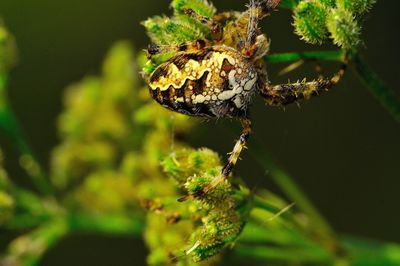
(218, 216)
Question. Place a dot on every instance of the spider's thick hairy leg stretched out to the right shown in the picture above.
(284, 94)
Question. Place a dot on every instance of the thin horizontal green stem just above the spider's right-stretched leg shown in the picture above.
(315, 55)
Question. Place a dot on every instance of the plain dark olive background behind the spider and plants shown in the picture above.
(342, 148)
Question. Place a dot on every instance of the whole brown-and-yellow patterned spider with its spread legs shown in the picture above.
(218, 77)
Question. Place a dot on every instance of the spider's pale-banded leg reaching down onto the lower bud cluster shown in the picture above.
(233, 158)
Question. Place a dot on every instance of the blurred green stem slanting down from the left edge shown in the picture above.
(9, 124)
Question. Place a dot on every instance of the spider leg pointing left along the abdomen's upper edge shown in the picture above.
(154, 49)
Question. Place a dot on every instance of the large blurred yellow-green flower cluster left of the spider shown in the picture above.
(111, 139)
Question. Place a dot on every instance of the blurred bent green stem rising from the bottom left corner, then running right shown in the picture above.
(28, 250)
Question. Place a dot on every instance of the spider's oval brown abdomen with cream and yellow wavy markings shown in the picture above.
(216, 82)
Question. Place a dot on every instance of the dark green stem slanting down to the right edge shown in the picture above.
(386, 96)
